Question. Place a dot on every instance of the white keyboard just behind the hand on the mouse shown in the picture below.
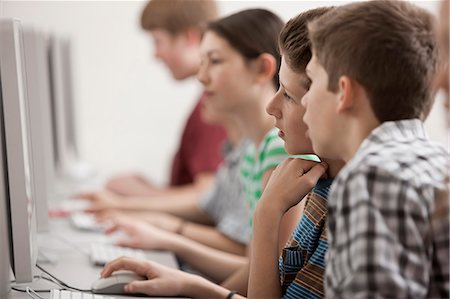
(101, 254)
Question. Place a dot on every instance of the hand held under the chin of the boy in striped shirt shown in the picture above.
(290, 182)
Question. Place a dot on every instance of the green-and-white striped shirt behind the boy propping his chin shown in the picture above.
(256, 162)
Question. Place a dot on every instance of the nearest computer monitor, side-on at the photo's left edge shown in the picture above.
(19, 187)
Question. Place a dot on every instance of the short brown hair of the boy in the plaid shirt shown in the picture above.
(389, 47)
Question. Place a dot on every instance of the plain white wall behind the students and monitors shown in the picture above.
(130, 112)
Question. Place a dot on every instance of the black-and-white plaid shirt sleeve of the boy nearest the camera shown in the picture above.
(378, 245)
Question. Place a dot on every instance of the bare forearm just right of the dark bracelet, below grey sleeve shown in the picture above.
(211, 237)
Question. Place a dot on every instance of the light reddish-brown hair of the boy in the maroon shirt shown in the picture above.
(175, 16)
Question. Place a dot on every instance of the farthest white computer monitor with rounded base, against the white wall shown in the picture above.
(67, 158)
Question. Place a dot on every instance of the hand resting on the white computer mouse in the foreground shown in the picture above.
(162, 281)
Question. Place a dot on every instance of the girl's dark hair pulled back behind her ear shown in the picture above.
(252, 32)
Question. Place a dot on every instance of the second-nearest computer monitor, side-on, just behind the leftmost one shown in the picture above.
(37, 76)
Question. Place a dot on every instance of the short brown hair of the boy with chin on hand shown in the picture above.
(294, 42)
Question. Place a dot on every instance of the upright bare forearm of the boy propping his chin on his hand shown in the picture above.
(264, 278)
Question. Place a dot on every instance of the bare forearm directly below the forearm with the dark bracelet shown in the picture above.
(214, 263)
